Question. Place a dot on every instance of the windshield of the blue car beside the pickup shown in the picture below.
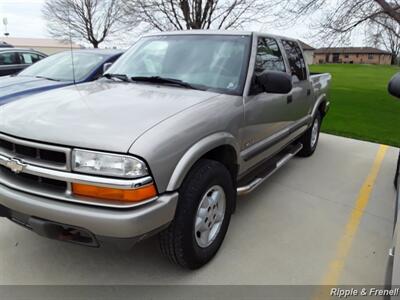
(59, 66)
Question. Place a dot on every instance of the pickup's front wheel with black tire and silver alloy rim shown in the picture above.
(202, 216)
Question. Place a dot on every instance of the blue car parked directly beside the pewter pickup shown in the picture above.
(56, 71)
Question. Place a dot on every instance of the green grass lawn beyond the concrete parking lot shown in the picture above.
(361, 107)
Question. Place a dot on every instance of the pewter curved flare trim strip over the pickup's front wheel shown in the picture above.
(195, 152)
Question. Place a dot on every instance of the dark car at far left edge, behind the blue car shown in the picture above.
(13, 60)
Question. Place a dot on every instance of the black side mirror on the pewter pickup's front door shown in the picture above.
(275, 82)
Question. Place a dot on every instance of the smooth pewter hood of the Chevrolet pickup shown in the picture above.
(100, 115)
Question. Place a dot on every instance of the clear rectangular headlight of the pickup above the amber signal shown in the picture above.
(108, 164)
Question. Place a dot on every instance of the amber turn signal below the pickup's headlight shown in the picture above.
(136, 195)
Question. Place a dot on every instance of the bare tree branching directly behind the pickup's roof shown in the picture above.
(198, 14)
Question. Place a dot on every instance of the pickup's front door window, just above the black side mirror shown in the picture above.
(269, 56)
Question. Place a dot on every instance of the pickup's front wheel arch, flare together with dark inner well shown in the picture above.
(220, 146)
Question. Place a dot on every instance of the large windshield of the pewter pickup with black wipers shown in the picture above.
(216, 62)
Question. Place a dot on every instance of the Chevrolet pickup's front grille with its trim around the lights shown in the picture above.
(47, 173)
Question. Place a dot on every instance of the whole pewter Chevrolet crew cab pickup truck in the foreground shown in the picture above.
(180, 125)
